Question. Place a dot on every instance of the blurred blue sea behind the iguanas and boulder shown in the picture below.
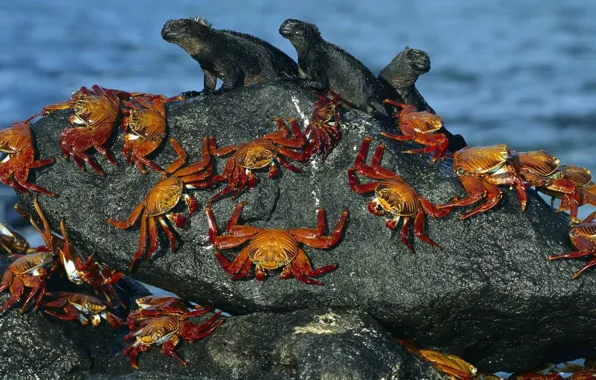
(522, 73)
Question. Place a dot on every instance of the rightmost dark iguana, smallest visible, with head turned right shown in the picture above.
(399, 79)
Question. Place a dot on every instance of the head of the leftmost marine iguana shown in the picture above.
(187, 33)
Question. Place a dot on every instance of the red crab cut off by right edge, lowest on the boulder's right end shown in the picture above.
(583, 239)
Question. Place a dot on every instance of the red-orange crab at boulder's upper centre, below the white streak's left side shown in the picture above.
(257, 154)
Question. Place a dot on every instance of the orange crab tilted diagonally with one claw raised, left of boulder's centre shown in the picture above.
(163, 197)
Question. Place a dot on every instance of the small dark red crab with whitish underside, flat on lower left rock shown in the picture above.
(82, 307)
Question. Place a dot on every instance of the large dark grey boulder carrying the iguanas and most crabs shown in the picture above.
(489, 295)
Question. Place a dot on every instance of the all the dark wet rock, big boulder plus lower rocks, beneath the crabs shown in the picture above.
(488, 295)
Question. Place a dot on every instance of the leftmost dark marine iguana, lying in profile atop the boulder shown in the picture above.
(238, 59)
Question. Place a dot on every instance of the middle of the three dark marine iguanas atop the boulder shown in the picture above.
(325, 66)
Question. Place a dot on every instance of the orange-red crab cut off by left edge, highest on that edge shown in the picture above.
(17, 143)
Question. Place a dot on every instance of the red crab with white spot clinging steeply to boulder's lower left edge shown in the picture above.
(89, 271)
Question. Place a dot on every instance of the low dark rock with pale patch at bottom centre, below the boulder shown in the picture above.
(299, 345)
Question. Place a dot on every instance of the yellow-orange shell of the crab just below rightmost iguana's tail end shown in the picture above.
(480, 160)
